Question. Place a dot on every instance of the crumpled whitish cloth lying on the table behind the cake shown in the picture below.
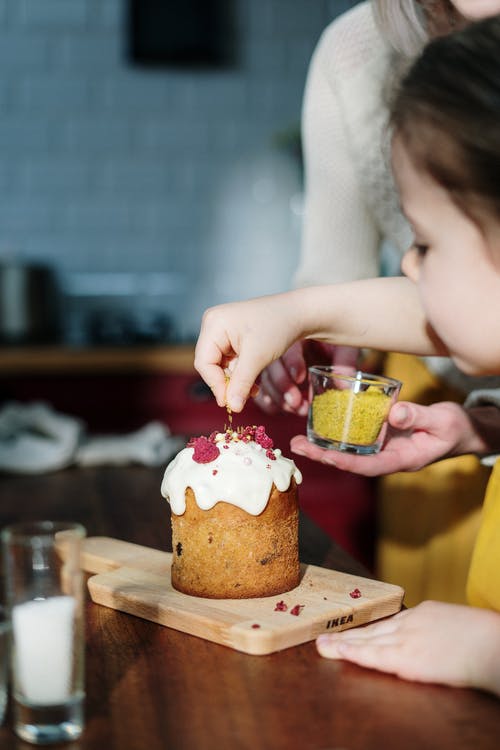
(35, 439)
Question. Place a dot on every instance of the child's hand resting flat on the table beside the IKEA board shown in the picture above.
(433, 642)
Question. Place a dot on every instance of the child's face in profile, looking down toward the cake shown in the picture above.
(456, 267)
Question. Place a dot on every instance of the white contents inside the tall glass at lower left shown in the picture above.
(43, 637)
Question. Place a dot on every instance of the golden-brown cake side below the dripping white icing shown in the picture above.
(227, 553)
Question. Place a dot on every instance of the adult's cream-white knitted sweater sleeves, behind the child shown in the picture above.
(351, 204)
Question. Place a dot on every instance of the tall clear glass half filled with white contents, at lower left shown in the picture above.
(44, 589)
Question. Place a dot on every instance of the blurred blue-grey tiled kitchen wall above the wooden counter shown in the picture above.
(150, 158)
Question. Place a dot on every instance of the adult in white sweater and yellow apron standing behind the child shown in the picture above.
(350, 203)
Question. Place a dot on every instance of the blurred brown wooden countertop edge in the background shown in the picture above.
(56, 360)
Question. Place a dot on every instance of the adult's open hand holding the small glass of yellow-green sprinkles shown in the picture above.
(419, 436)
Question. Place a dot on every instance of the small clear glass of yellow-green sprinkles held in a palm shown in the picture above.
(348, 412)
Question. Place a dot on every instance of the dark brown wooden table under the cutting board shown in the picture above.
(152, 688)
